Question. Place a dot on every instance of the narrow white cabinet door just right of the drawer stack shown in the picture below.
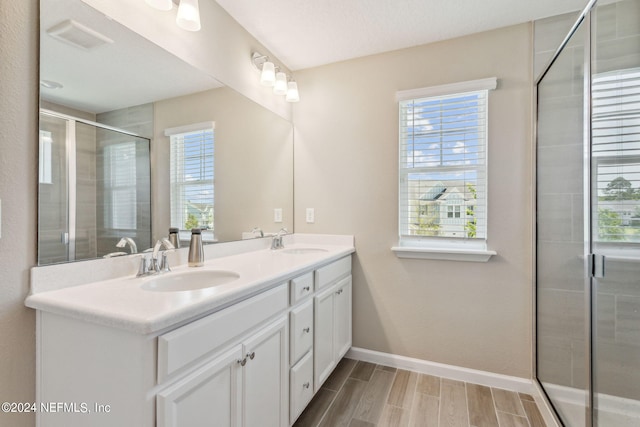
(323, 345)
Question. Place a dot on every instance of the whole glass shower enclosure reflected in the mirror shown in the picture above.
(94, 189)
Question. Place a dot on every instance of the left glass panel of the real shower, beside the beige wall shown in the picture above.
(562, 294)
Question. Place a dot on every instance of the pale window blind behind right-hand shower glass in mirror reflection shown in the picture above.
(120, 186)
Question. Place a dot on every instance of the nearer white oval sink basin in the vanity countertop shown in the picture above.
(190, 280)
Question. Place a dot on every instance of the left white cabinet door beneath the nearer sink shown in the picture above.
(208, 397)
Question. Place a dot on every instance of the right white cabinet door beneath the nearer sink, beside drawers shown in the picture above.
(265, 377)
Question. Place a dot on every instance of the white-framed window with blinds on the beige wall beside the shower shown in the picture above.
(443, 166)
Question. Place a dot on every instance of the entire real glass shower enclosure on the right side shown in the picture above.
(588, 220)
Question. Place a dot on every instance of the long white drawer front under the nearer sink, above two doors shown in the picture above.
(189, 343)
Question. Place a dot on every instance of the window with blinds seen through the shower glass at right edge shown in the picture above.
(616, 156)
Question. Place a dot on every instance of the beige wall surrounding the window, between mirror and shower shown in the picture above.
(476, 315)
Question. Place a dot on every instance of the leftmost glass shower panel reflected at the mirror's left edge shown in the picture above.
(56, 204)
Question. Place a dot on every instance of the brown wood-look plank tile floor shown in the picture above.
(362, 394)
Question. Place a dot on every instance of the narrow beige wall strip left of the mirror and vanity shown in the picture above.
(18, 172)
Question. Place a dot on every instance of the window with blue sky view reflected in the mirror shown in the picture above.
(192, 176)
